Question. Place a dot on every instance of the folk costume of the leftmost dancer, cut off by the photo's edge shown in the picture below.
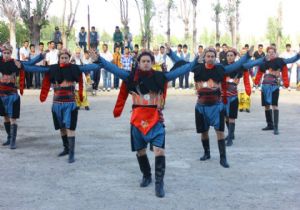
(9, 97)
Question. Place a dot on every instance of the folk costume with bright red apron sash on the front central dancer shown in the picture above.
(147, 124)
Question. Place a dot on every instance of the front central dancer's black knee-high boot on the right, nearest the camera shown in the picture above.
(160, 167)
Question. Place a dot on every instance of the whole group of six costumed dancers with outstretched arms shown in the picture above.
(217, 102)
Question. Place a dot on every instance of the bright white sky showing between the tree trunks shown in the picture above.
(253, 15)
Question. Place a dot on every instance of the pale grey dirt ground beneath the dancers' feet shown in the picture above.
(264, 169)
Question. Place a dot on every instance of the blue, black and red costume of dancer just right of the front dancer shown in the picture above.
(210, 81)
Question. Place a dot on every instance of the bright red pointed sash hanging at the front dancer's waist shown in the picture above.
(144, 118)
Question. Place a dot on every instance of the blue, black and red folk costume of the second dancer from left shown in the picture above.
(64, 77)
